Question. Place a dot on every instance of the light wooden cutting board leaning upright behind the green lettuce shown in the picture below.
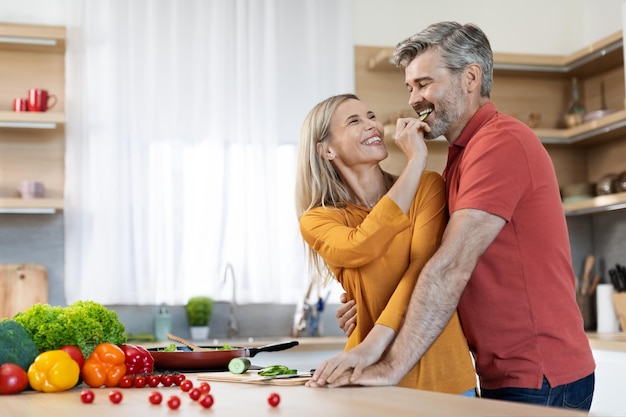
(21, 286)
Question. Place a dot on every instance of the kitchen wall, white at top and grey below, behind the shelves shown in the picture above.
(531, 26)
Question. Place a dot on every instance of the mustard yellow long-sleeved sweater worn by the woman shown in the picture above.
(377, 256)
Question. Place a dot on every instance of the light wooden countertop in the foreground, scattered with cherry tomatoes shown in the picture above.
(241, 399)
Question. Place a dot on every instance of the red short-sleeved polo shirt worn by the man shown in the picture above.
(519, 309)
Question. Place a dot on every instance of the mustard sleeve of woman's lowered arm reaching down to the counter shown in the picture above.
(429, 215)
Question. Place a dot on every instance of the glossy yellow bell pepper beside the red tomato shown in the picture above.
(53, 371)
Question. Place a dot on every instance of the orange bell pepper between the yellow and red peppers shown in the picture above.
(105, 366)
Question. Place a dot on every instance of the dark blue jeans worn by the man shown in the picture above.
(577, 395)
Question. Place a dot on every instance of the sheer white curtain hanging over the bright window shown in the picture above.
(183, 119)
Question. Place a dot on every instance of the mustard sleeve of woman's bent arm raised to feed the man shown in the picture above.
(327, 231)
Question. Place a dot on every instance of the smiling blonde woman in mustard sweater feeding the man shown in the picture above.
(374, 232)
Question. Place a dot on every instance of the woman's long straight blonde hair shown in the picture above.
(317, 182)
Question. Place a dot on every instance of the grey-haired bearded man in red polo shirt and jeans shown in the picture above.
(504, 261)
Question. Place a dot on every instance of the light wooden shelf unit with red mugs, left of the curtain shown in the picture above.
(32, 144)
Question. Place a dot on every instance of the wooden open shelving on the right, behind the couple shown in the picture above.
(535, 89)
